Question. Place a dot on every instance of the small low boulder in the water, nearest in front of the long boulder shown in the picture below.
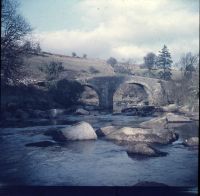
(145, 150)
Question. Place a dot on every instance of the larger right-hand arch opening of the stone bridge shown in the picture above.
(131, 94)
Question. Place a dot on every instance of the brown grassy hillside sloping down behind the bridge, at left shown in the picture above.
(74, 67)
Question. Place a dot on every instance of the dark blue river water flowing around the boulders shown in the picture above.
(91, 163)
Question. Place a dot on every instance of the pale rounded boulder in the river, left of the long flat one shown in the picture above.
(79, 131)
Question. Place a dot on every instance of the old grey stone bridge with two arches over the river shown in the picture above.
(106, 86)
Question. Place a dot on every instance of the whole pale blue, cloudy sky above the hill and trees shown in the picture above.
(119, 28)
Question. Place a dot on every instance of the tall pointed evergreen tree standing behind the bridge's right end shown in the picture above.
(164, 62)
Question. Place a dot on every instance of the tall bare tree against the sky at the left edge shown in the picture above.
(13, 35)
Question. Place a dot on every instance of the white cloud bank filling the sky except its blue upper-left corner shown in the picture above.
(127, 29)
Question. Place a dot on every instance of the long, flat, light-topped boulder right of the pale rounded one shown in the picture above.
(129, 134)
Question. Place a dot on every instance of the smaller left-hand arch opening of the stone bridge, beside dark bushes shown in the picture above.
(89, 97)
